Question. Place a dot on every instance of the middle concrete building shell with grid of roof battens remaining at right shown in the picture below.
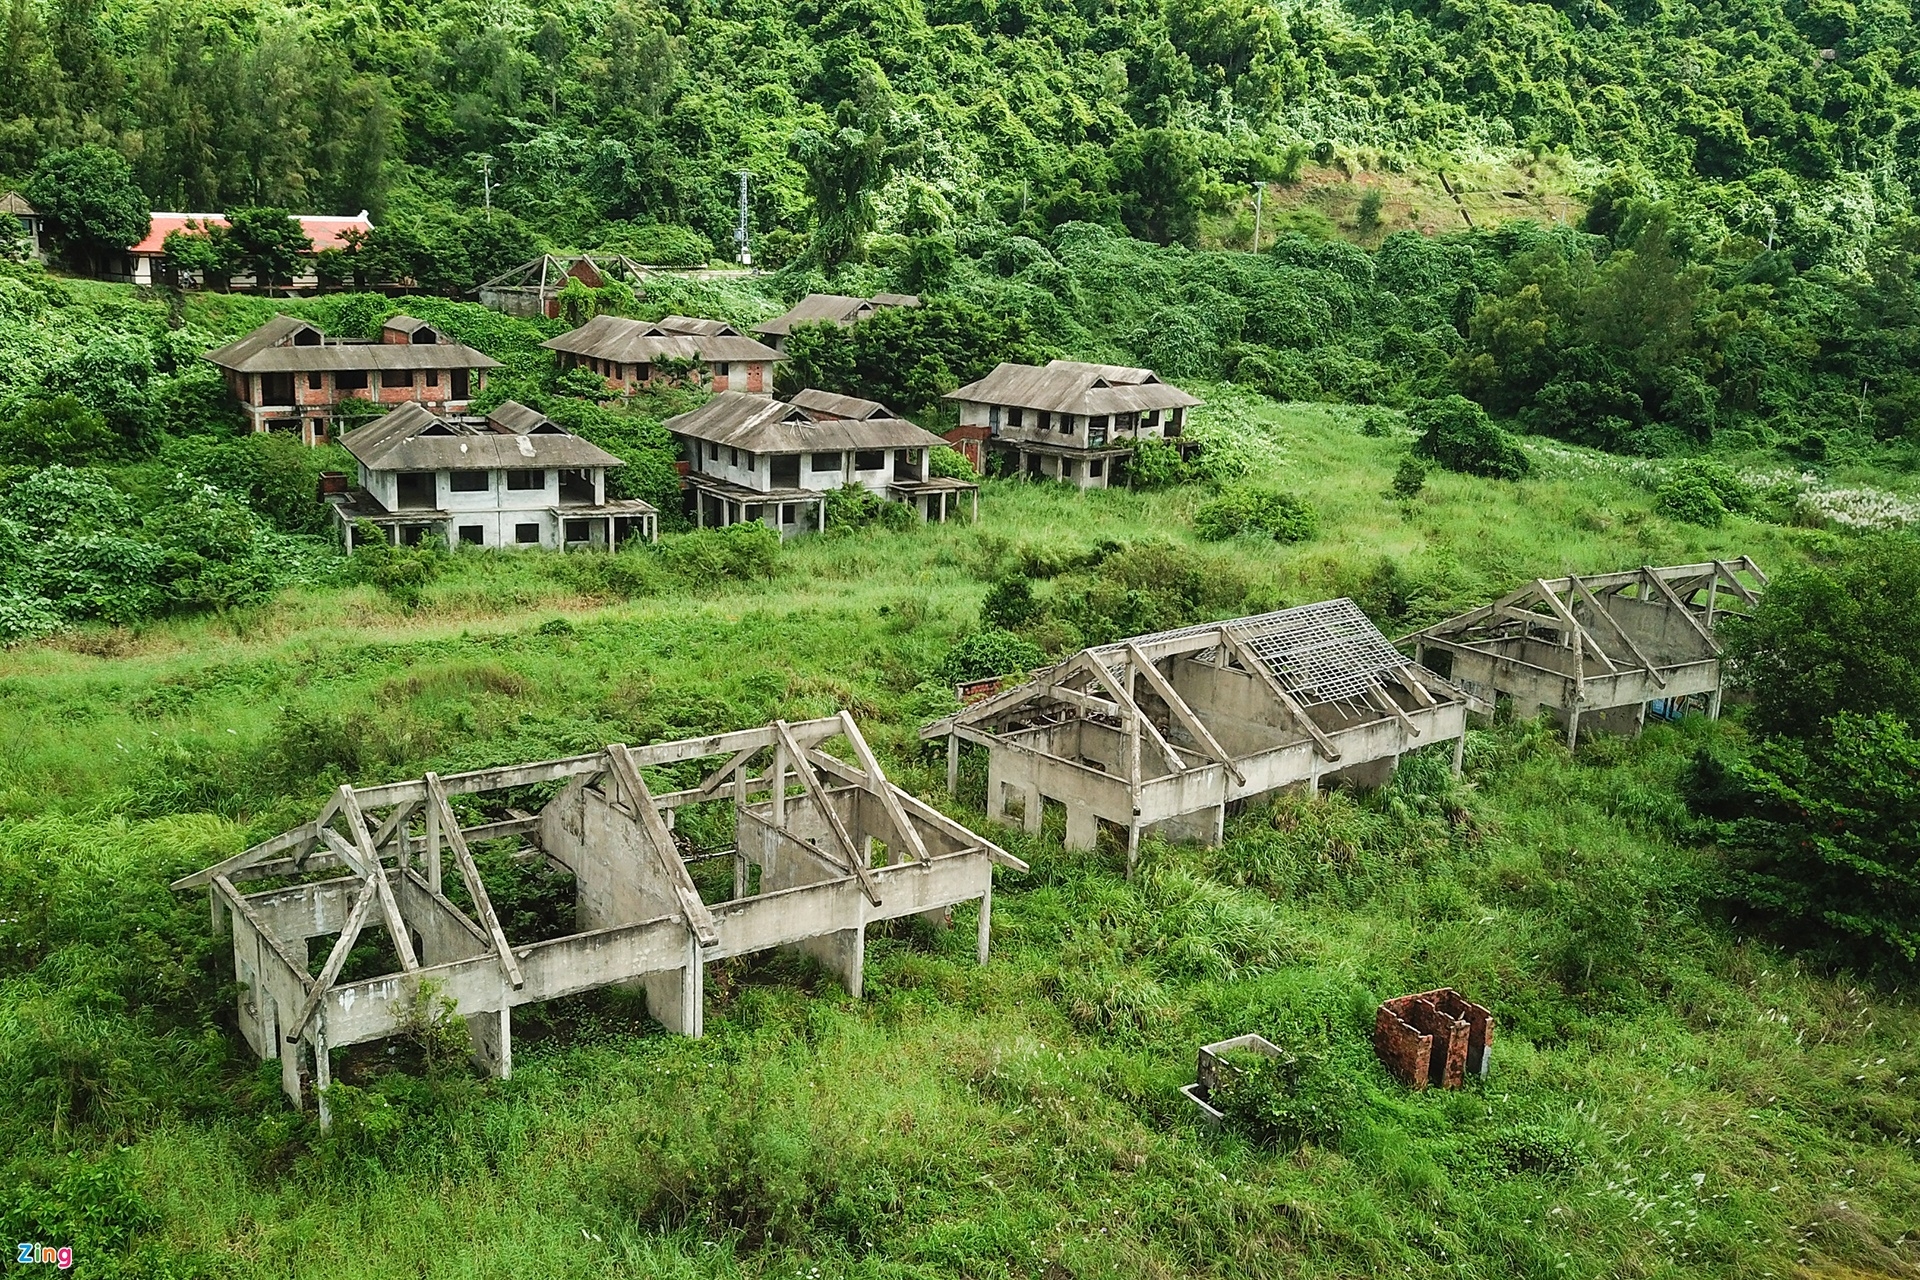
(1163, 734)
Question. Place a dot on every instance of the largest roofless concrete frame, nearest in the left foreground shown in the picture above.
(805, 818)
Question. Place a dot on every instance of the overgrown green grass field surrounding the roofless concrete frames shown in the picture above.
(1669, 1097)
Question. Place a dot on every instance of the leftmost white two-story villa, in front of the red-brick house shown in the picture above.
(512, 479)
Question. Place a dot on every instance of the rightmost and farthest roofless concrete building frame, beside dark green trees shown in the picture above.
(1596, 650)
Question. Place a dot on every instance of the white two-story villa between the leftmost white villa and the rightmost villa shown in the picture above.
(752, 458)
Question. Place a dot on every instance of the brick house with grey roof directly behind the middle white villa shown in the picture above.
(684, 350)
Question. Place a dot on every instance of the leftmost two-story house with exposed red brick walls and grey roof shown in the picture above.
(291, 377)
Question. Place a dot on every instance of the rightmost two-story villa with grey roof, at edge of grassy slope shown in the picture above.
(1070, 421)
